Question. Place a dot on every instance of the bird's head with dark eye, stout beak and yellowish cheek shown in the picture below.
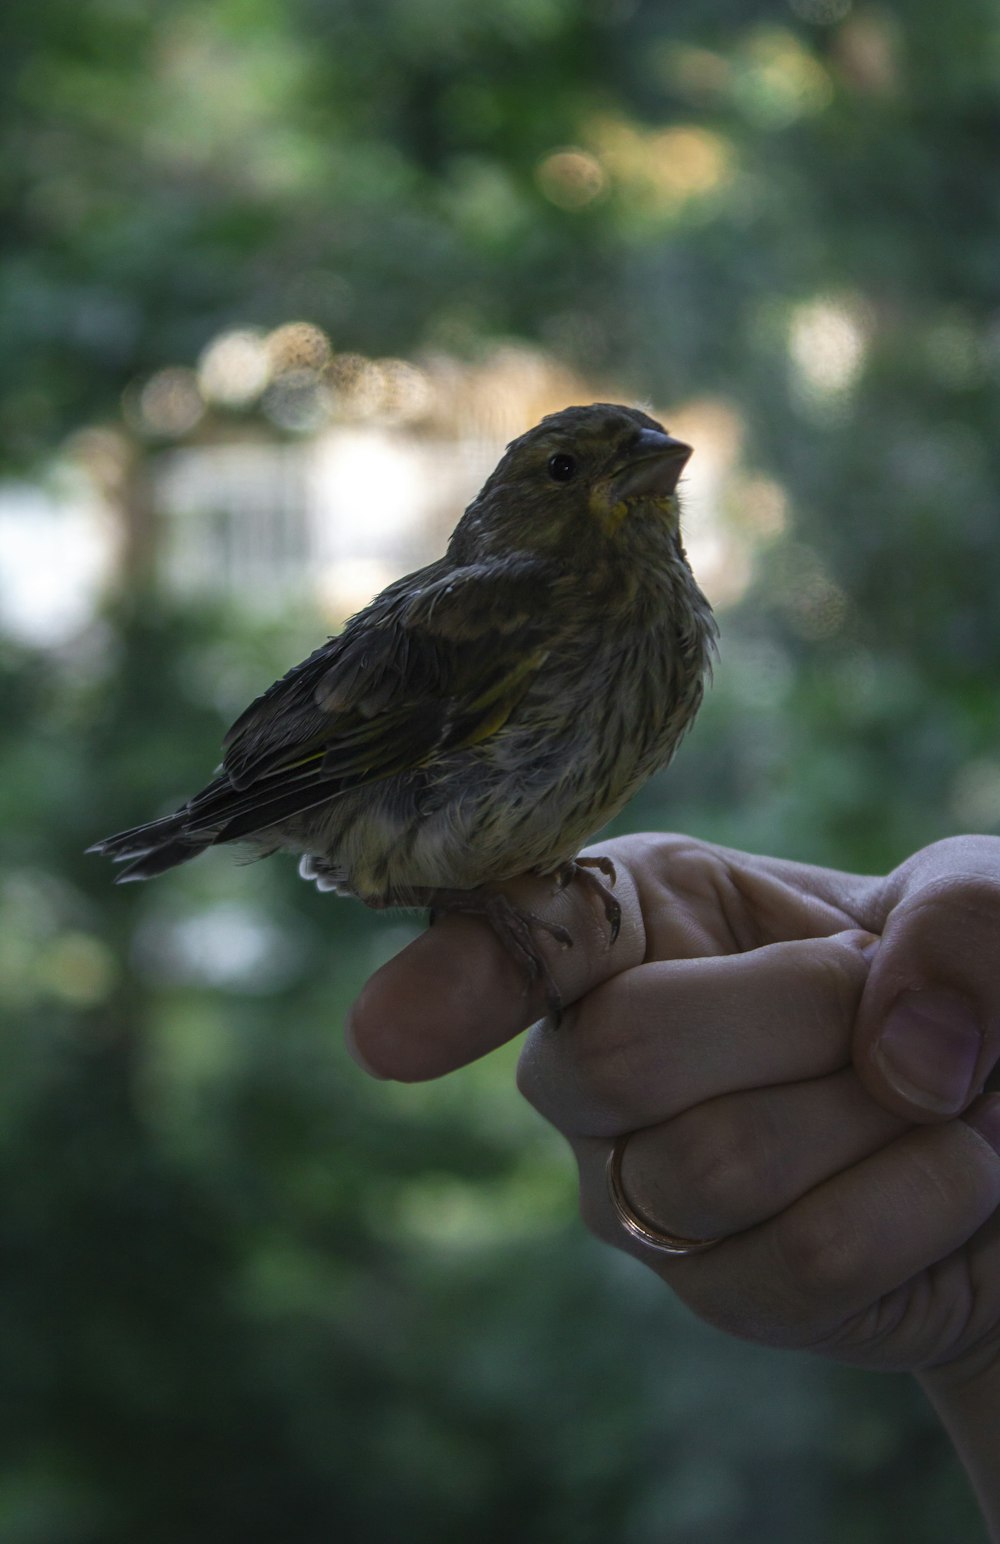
(584, 479)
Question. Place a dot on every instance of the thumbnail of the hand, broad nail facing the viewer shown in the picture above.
(930, 1049)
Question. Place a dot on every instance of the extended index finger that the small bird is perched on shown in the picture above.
(456, 994)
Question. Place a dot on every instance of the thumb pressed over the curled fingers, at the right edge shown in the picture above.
(928, 1029)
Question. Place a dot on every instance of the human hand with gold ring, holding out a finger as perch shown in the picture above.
(859, 1213)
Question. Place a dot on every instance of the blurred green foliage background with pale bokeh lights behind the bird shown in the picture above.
(279, 279)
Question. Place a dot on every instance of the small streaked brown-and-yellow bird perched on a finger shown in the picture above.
(482, 717)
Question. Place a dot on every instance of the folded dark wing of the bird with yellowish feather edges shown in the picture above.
(430, 668)
